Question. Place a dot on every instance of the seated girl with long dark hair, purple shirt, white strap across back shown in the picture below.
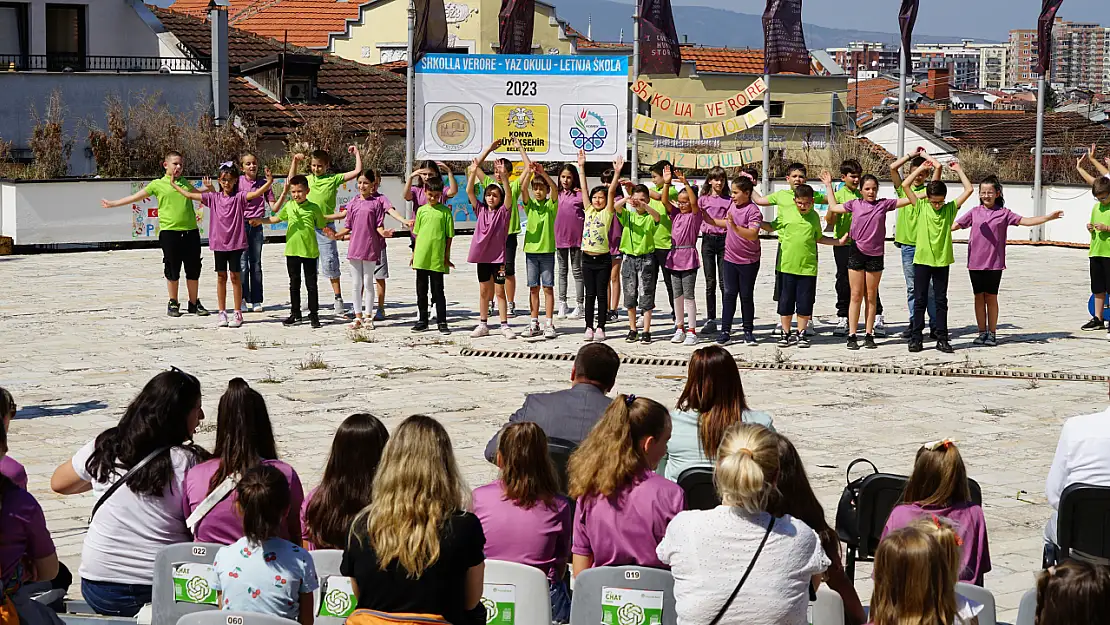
(244, 440)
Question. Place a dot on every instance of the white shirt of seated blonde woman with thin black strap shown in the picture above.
(709, 552)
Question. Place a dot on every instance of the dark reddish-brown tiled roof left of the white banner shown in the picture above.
(362, 95)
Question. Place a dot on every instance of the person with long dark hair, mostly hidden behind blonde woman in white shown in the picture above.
(796, 499)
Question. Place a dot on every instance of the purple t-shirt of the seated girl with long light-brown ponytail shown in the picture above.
(628, 530)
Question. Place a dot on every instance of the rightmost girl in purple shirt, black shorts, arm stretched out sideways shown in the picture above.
(990, 223)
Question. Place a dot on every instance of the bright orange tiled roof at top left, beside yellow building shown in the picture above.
(308, 24)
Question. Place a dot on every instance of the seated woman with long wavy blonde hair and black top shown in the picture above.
(416, 550)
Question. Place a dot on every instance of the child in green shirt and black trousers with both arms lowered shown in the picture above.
(435, 228)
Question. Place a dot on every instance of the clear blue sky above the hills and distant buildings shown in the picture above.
(985, 19)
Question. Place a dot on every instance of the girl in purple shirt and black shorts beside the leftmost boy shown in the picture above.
(227, 234)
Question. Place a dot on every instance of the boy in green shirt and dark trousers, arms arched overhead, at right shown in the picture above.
(933, 253)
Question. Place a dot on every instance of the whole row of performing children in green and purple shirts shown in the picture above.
(618, 240)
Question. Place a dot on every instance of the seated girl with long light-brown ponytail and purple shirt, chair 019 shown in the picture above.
(623, 507)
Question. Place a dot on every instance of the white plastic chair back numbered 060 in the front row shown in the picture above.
(526, 586)
